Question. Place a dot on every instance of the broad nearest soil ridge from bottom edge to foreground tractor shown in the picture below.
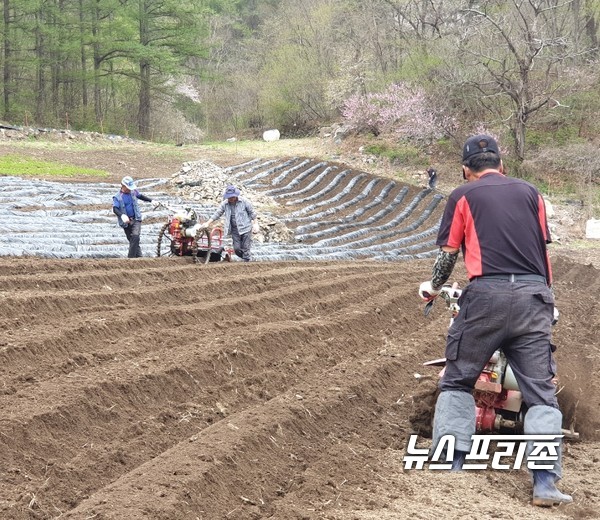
(278, 443)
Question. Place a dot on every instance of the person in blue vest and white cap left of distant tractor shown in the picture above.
(129, 215)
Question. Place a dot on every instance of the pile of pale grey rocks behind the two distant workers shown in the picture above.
(204, 182)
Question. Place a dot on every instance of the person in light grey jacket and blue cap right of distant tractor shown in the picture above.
(239, 221)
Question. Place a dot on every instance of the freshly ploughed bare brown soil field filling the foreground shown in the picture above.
(159, 389)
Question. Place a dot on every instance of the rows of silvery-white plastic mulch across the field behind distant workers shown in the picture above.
(337, 214)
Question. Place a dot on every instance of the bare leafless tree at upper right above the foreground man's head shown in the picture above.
(522, 48)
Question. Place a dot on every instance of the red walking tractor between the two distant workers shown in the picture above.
(185, 235)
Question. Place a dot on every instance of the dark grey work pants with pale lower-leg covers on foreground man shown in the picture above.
(515, 317)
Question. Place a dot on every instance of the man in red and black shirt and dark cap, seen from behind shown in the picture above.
(500, 225)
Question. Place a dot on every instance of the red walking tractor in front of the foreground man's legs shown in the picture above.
(499, 406)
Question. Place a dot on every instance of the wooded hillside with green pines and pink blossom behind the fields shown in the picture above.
(406, 75)
